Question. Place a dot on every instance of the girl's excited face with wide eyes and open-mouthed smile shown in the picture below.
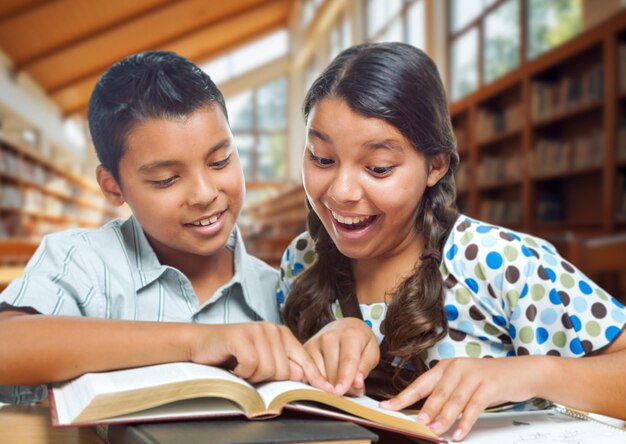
(364, 180)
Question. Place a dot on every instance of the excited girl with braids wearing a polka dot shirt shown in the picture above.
(437, 290)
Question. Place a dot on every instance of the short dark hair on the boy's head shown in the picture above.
(144, 86)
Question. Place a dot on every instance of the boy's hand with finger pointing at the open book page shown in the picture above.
(257, 351)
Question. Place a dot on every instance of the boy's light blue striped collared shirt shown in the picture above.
(112, 272)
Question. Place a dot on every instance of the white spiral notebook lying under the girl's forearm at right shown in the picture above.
(556, 424)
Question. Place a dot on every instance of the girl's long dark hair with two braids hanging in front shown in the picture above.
(399, 84)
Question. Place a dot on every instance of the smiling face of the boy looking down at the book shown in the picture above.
(184, 183)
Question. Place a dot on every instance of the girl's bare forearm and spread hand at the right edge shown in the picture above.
(469, 385)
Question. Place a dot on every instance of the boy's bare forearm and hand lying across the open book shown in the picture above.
(38, 349)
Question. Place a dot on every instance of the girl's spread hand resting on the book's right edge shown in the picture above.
(467, 386)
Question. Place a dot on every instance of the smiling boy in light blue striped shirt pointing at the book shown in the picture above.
(160, 129)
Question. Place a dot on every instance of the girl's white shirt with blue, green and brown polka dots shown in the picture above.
(506, 294)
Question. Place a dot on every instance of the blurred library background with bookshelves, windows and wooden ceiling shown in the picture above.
(537, 92)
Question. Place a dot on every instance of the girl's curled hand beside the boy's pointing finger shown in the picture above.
(345, 351)
